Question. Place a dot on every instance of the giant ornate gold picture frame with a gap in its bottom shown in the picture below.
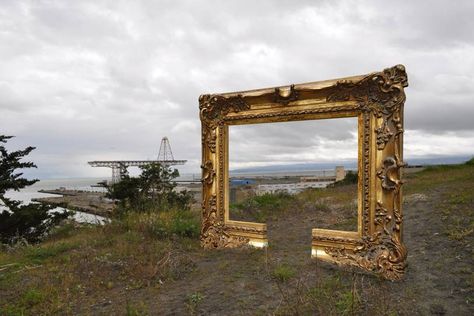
(377, 100)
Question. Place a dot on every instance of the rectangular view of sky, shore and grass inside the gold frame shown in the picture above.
(297, 173)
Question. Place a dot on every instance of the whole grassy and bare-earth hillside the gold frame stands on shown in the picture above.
(153, 265)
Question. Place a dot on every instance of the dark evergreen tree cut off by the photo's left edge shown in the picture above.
(28, 221)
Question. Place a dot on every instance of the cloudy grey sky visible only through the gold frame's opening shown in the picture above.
(291, 141)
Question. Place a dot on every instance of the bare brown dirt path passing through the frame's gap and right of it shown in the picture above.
(439, 279)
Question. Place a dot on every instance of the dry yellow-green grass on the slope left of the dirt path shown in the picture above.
(71, 274)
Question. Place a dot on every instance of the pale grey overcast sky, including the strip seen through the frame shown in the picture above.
(93, 80)
